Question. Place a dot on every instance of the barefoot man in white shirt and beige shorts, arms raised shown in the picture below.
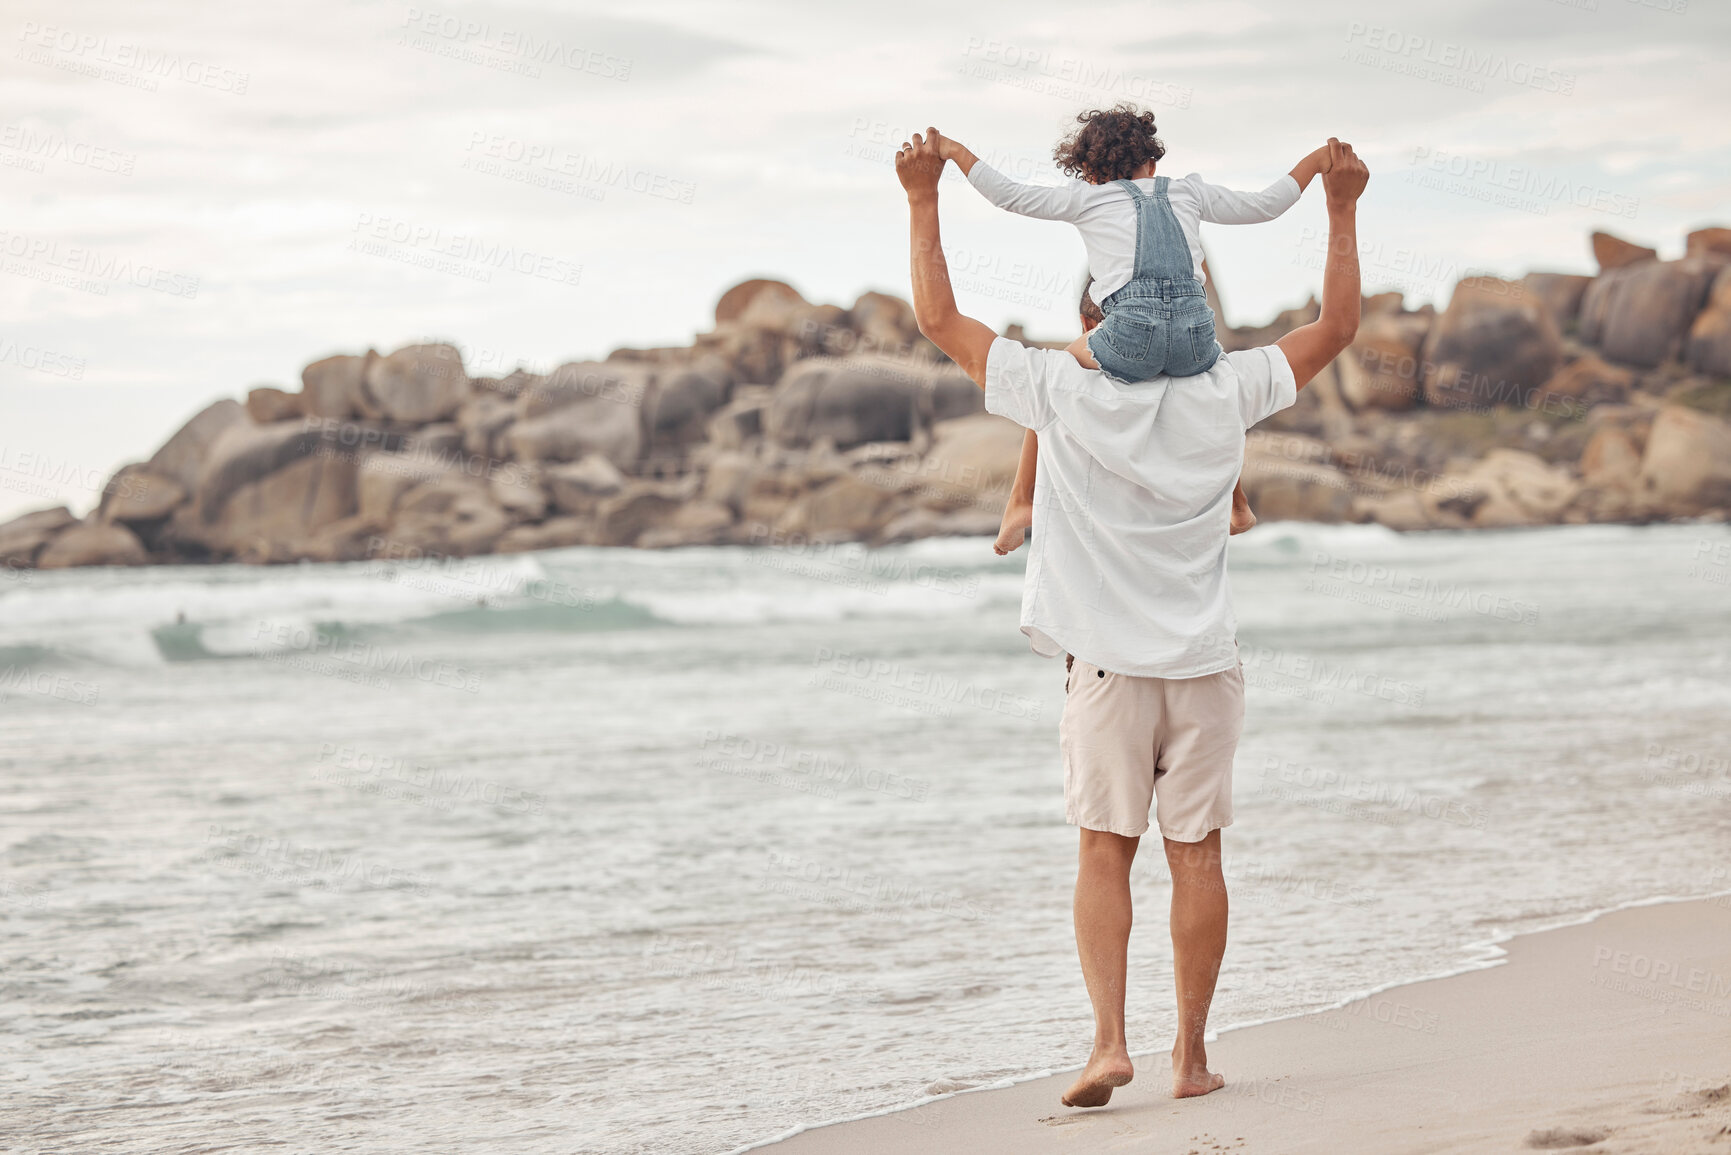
(1128, 576)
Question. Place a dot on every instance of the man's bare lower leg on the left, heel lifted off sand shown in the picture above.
(1104, 943)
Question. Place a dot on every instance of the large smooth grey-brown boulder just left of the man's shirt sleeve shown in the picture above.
(847, 403)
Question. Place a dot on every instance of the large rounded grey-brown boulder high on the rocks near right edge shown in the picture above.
(1638, 316)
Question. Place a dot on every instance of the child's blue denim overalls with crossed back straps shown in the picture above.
(1159, 325)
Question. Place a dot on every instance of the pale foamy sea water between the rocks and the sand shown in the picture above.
(608, 851)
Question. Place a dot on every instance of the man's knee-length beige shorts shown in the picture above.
(1133, 744)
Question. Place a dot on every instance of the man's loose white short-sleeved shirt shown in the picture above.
(1133, 505)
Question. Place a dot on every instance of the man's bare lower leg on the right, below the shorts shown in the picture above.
(1199, 945)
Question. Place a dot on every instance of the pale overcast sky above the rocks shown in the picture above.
(205, 197)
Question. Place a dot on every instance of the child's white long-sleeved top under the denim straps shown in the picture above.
(1107, 219)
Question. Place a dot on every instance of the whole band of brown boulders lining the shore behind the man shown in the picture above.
(1554, 399)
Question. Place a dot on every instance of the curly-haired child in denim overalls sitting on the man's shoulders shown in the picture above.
(1143, 259)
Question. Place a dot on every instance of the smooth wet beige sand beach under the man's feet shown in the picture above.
(1606, 1036)
